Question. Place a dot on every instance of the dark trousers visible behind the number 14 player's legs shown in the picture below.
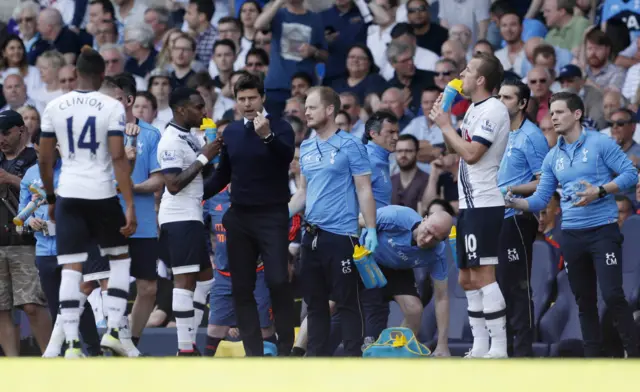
(50, 276)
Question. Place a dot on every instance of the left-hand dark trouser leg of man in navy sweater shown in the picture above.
(243, 251)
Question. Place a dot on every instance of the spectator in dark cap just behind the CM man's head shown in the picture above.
(571, 79)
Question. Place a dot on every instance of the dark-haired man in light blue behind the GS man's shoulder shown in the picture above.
(380, 136)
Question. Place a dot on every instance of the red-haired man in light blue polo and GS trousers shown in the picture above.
(335, 186)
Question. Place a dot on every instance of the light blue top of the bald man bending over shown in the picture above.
(398, 230)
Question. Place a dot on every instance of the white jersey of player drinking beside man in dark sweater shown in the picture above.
(177, 150)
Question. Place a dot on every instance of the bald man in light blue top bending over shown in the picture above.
(407, 241)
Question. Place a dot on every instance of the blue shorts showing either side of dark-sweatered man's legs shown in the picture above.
(221, 302)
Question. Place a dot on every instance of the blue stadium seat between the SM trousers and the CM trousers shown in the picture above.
(561, 321)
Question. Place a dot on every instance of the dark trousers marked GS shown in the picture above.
(328, 272)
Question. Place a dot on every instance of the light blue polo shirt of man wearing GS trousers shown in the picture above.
(328, 167)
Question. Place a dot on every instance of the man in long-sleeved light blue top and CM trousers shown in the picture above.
(583, 163)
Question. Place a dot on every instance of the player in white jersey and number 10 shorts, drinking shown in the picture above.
(480, 143)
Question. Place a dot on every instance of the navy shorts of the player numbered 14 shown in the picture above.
(81, 221)
